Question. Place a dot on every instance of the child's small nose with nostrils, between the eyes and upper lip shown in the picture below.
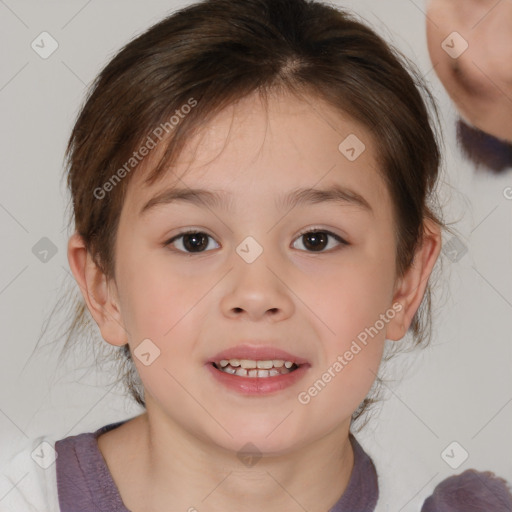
(256, 287)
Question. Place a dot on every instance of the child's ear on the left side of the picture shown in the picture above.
(100, 295)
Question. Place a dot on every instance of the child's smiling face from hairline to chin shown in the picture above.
(312, 304)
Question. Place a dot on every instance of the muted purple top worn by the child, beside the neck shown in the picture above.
(84, 482)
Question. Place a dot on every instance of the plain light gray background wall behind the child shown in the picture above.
(459, 389)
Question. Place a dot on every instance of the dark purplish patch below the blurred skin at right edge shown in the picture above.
(483, 149)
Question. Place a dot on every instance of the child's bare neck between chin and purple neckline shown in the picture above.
(175, 468)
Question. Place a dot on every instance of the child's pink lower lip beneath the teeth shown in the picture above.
(258, 385)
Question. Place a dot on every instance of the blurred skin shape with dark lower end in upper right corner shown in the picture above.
(470, 47)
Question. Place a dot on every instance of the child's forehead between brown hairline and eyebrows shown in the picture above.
(271, 149)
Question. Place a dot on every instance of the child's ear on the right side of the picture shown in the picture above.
(410, 288)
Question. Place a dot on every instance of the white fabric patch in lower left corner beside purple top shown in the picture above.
(28, 475)
